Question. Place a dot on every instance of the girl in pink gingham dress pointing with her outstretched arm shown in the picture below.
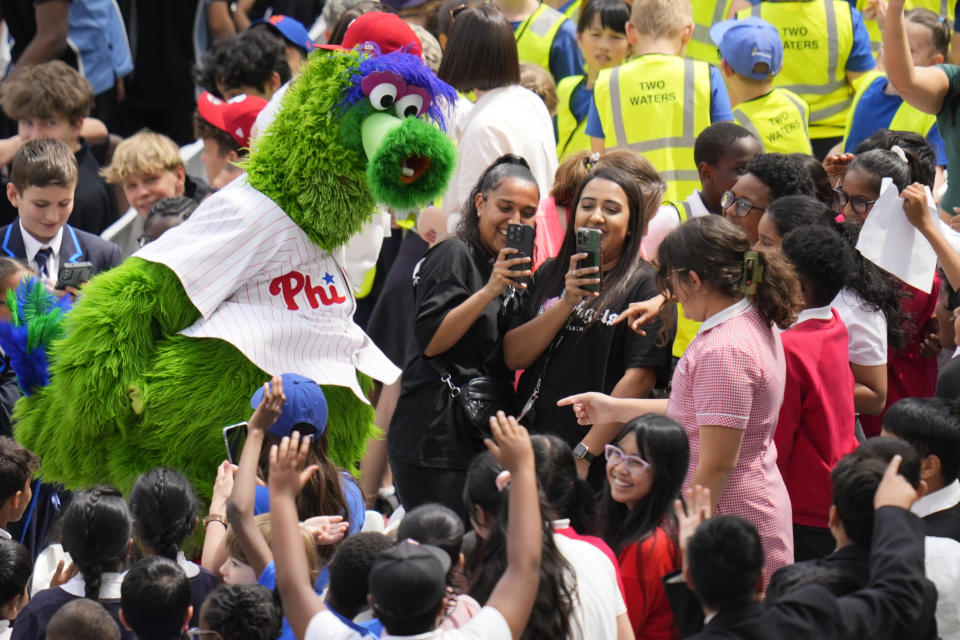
(728, 386)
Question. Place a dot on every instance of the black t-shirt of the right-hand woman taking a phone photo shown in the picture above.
(588, 357)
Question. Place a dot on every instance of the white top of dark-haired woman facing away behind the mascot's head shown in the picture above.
(505, 120)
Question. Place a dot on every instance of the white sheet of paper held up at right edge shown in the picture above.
(888, 240)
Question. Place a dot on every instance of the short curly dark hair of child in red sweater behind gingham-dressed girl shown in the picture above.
(821, 256)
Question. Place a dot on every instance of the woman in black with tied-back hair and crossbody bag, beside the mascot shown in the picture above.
(459, 287)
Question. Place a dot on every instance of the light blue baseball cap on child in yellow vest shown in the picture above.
(748, 42)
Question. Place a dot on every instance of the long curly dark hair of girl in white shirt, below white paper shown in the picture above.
(877, 289)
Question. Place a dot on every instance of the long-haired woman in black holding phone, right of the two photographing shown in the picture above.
(564, 334)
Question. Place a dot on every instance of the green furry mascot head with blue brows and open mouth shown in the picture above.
(356, 128)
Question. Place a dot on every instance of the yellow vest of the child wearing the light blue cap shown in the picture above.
(779, 119)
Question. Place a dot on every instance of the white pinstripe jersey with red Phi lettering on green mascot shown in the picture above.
(264, 287)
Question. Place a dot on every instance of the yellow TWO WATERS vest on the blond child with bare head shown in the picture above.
(657, 105)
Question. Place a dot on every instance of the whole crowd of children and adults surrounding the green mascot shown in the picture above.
(736, 415)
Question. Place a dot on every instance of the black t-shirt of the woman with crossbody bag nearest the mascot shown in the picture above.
(422, 432)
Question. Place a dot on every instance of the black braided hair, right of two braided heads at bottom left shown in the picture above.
(164, 509)
